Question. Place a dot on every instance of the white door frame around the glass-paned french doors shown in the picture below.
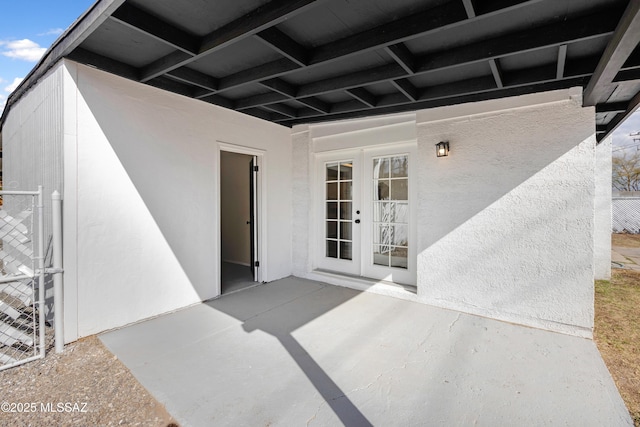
(363, 154)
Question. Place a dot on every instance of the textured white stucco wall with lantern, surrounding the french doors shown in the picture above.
(506, 222)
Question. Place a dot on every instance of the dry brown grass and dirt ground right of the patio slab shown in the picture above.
(617, 328)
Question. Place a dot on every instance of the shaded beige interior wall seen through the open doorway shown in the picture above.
(234, 207)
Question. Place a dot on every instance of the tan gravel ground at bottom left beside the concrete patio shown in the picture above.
(84, 386)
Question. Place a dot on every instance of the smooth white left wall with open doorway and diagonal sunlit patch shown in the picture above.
(146, 201)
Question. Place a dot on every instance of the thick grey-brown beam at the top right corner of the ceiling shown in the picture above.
(625, 39)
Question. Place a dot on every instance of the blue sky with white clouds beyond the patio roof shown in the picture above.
(29, 27)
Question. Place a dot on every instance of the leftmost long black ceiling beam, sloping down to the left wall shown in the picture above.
(257, 20)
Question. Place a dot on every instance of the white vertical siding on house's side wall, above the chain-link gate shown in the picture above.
(32, 142)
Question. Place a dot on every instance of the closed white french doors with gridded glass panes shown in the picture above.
(365, 216)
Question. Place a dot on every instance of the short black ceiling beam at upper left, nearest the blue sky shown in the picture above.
(139, 20)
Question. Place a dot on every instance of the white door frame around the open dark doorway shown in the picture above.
(261, 216)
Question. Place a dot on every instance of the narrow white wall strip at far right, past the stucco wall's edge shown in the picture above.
(602, 243)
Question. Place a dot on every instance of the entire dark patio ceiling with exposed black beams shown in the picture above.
(301, 61)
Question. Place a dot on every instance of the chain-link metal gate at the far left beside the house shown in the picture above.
(22, 278)
